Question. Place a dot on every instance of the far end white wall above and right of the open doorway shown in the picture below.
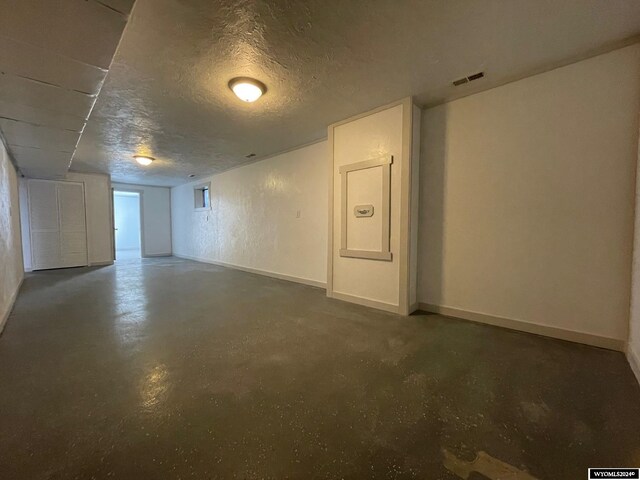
(156, 218)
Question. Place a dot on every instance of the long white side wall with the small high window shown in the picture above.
(253, 221)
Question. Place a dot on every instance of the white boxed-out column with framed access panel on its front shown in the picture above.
(373, 208)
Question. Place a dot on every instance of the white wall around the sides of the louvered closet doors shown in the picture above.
(97, 190)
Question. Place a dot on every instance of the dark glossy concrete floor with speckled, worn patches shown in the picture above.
(164, 368)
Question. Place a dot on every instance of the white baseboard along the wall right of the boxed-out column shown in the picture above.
(522, 326)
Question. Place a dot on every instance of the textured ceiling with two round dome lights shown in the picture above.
(166, 94)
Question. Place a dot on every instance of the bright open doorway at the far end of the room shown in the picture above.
(126, 216)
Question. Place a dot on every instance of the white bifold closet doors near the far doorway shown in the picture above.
(58, 224)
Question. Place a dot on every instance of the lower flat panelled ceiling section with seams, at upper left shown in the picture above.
(54, 57)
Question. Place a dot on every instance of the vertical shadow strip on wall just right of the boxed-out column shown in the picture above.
(431, 224)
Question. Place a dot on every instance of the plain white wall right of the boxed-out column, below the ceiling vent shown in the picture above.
(527, 198)
